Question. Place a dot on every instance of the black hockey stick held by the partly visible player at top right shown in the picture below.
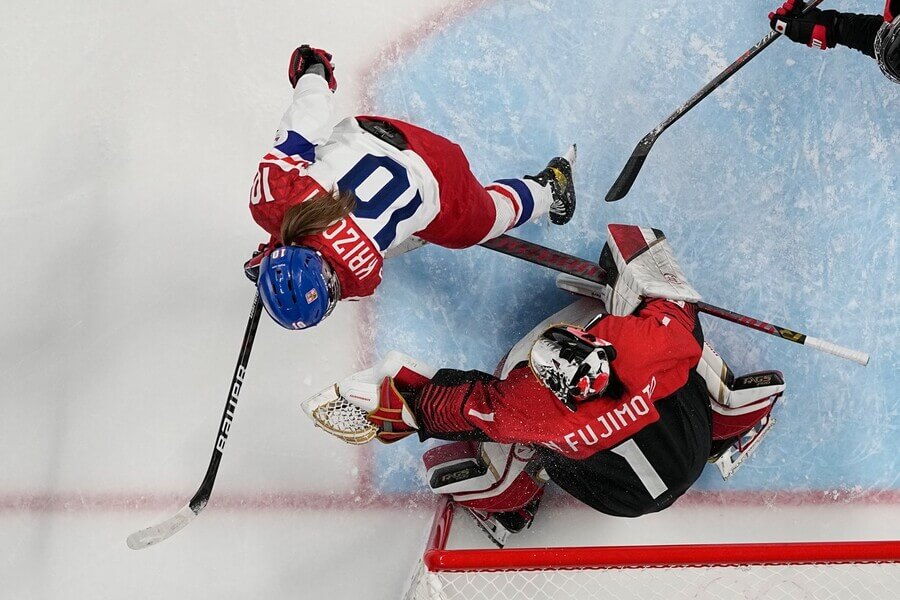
(626, 178)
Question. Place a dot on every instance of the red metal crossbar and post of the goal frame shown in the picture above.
(437, 558)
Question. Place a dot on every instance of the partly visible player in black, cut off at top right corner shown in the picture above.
(874, 35)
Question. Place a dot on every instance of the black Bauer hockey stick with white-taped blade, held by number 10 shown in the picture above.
(181, 519)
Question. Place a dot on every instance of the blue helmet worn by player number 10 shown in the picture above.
(297, 287)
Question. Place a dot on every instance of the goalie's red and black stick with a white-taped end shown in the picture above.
(579, 267)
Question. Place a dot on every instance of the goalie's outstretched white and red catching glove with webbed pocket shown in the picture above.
(370, 404)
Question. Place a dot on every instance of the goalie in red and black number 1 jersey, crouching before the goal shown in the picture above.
(622, 410)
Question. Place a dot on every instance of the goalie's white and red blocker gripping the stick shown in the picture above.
(640, 264)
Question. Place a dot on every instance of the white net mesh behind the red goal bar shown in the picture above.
(774, 582)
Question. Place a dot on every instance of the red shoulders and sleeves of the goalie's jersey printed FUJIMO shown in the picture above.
(656, 350)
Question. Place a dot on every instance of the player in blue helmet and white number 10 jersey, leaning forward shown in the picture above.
(336, 198)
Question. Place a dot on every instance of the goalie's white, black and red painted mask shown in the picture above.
(572, 363)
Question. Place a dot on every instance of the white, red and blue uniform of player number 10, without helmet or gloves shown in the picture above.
(398, 188)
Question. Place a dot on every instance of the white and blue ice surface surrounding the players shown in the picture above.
(130, 136)
